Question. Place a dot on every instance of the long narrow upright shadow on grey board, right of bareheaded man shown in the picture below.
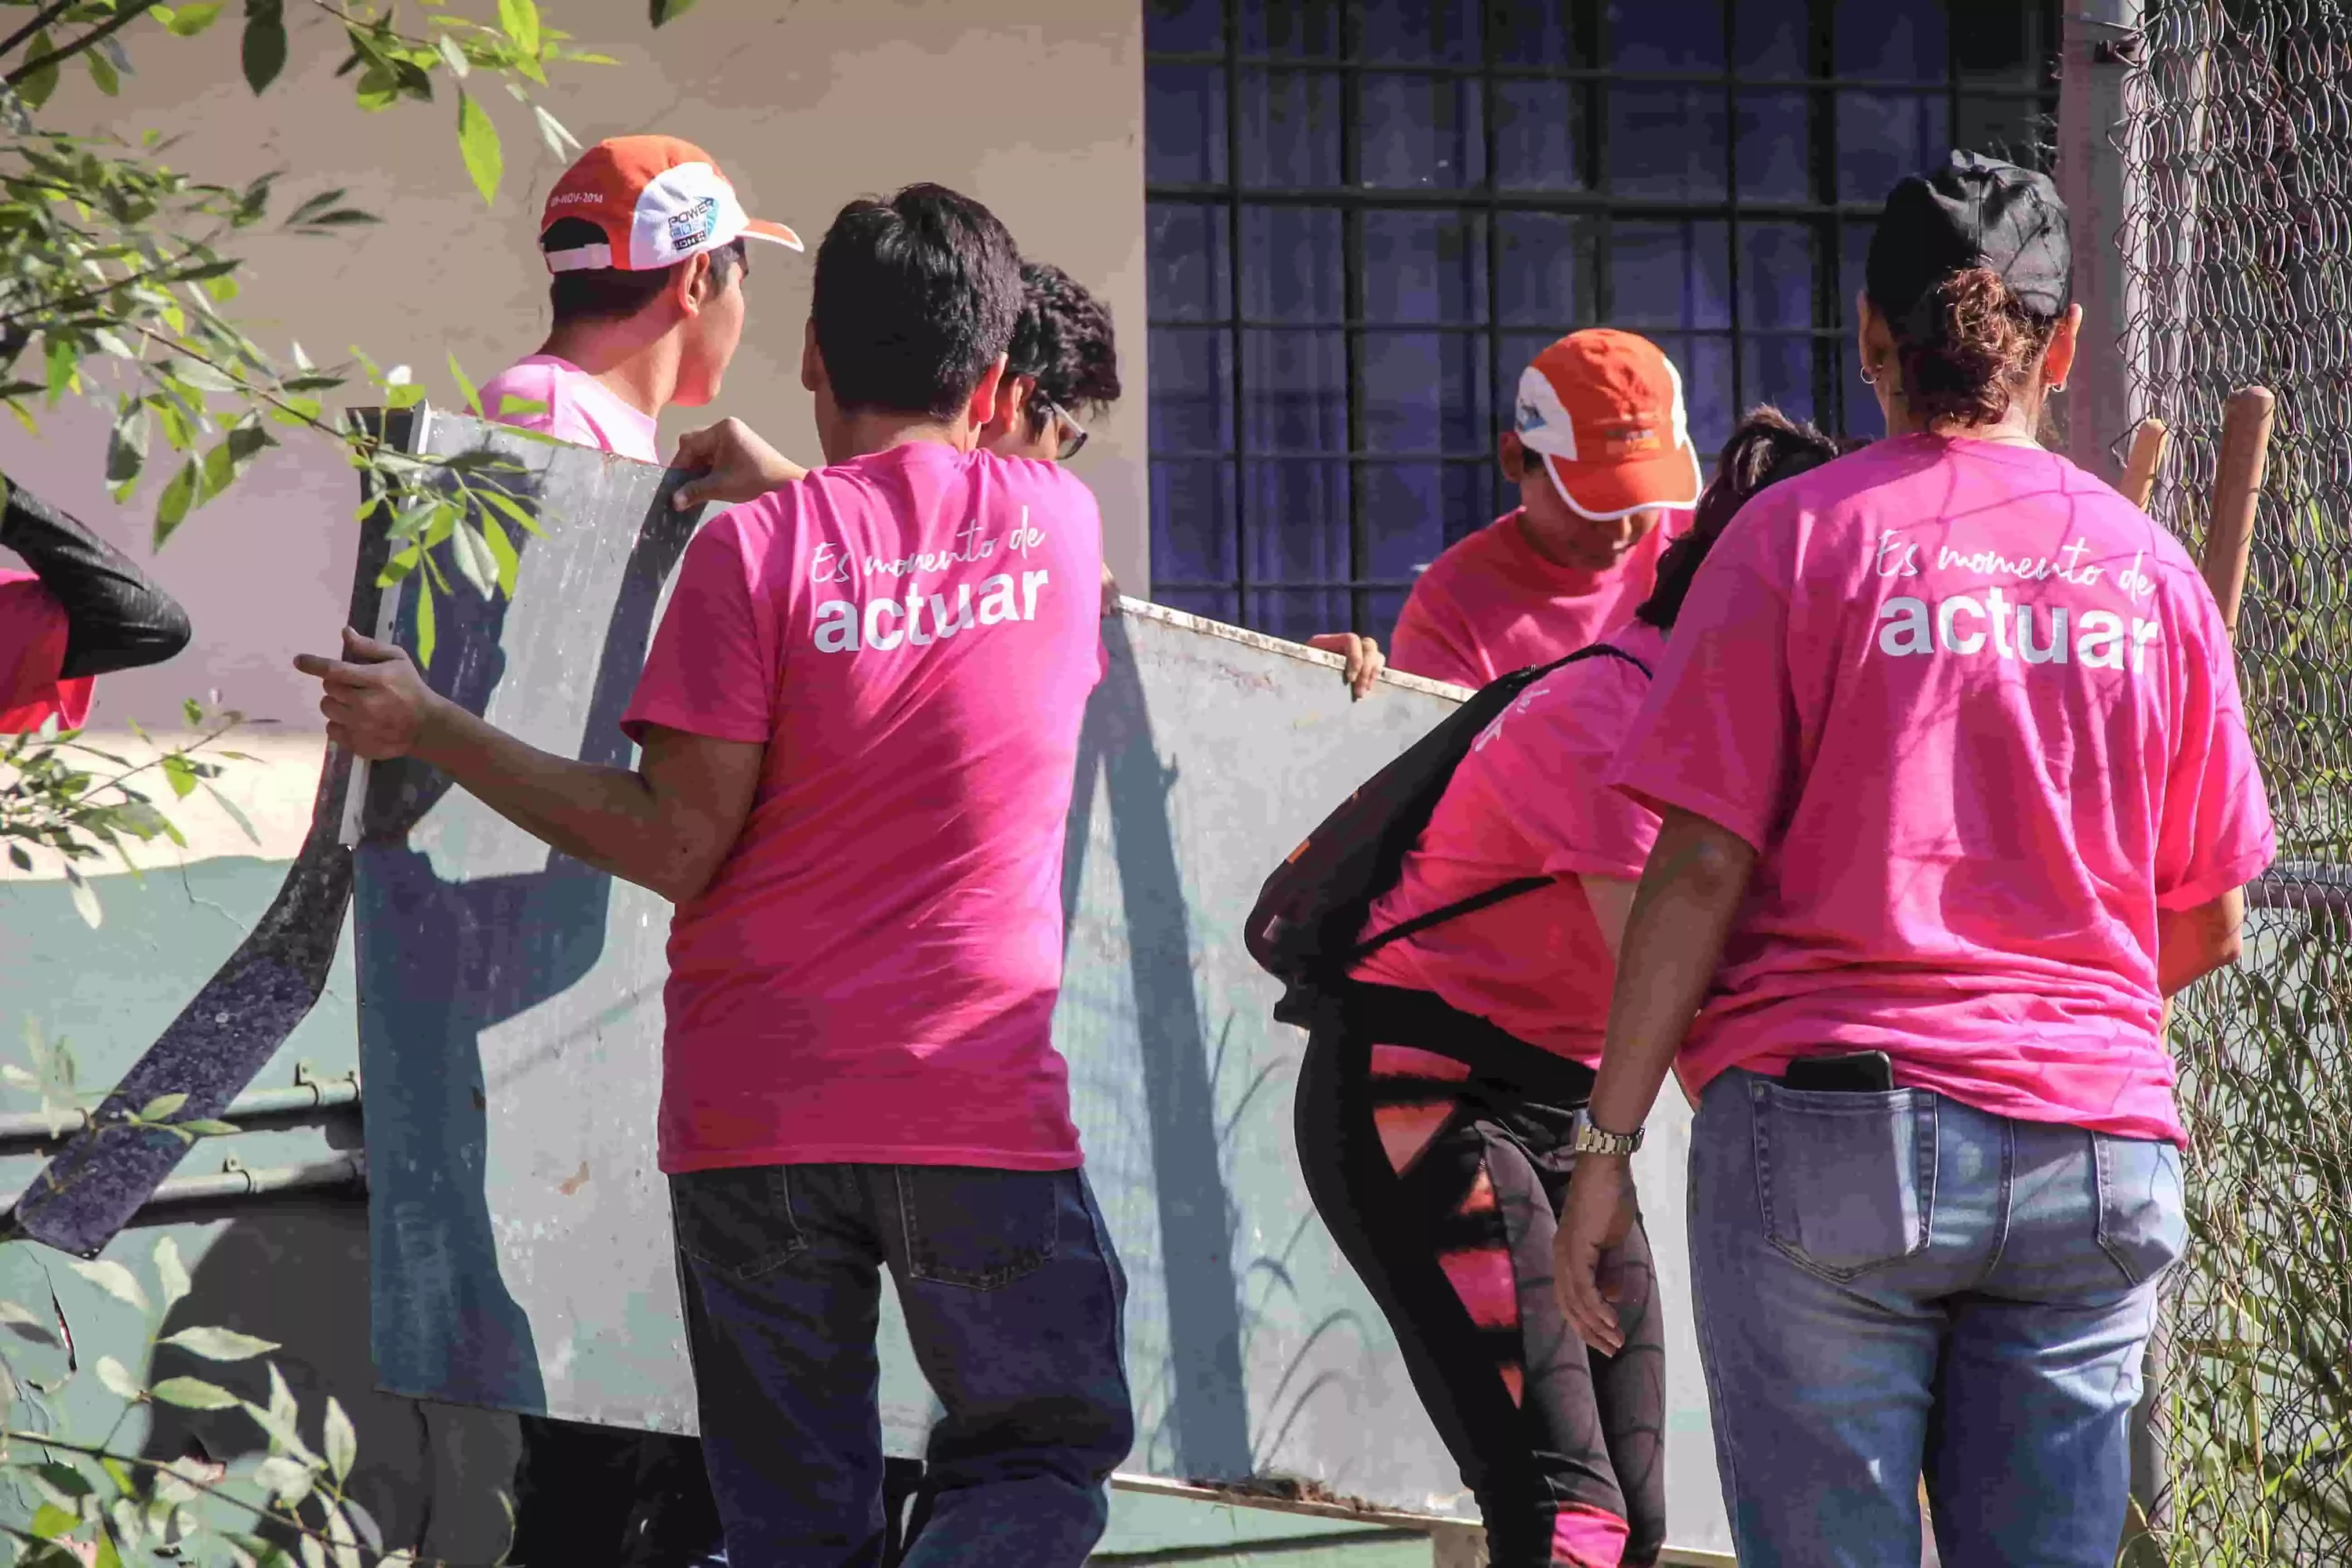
(1208, 1398)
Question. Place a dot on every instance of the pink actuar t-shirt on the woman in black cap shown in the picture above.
(1979, 716)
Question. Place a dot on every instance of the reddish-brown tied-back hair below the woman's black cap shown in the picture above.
(1967, 349)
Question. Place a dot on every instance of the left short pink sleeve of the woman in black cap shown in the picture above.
(1718, 732)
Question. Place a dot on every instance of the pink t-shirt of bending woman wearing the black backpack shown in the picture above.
(1530, 800)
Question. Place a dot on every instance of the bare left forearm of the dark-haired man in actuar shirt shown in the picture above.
(601, 817)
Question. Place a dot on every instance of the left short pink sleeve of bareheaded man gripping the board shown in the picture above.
(716, 662)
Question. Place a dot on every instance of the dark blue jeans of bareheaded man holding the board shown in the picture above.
(1015, 1306)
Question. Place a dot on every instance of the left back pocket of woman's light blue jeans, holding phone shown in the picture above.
(1847, 1181)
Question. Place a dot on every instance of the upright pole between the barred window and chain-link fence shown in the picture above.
(2097, 182)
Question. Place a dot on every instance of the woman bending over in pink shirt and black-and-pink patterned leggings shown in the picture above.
(1434, 1125)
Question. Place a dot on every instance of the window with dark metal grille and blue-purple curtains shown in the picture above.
(1370, 215)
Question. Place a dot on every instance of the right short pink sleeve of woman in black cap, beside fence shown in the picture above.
(2214, 831)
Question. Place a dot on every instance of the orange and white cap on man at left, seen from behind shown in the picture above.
(657, 199)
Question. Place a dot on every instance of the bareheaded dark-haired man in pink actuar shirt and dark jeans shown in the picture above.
(860, 730)
